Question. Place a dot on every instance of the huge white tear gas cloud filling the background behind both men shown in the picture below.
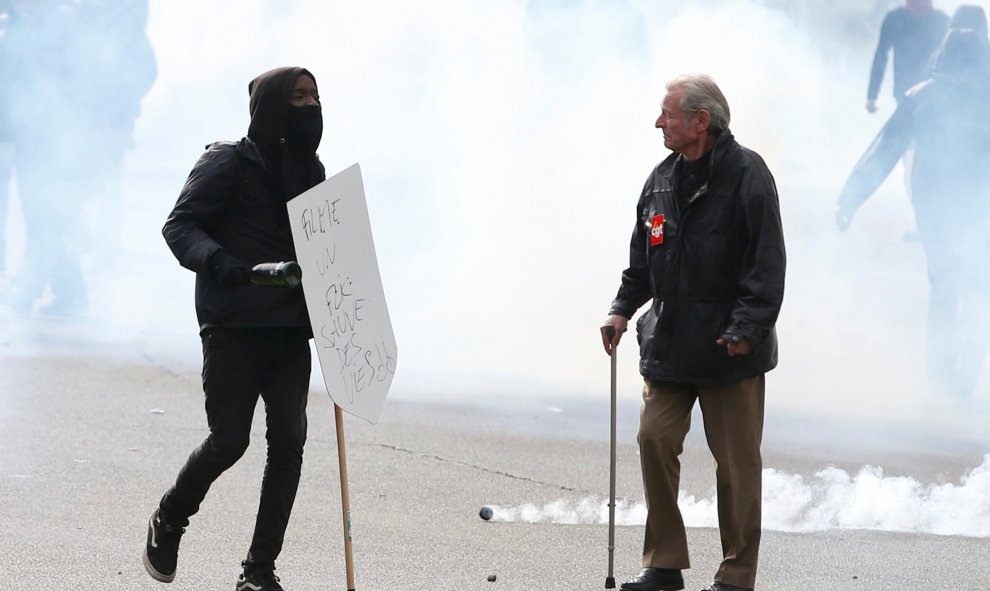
(503, 146)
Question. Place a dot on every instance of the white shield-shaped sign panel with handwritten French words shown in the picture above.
(344, 295)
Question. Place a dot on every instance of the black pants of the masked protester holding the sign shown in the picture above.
(239, 365)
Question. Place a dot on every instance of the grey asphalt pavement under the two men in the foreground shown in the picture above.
(89, 443)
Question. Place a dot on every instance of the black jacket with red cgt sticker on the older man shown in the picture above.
(718, 271)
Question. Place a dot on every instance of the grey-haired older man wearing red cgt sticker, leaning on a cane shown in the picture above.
(708, 250)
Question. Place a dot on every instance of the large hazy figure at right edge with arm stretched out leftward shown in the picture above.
(945, 118)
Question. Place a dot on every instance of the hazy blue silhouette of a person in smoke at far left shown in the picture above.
(76, 74)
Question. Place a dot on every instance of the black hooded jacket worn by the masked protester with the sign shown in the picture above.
(231, 215)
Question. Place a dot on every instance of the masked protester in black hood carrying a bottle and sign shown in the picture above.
(232, 215)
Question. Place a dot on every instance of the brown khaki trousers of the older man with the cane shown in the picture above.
(733, 420)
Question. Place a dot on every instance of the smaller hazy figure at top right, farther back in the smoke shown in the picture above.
(913, 33)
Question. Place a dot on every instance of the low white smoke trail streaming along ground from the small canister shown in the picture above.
(831, 499)
